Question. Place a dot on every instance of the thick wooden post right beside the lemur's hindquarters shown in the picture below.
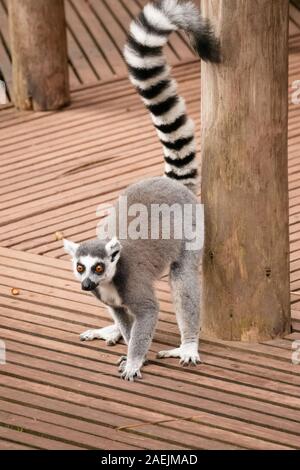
(244, 176)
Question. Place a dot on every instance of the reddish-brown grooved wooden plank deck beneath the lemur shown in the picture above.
(58, 393)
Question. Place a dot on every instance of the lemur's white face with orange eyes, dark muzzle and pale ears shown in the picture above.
(94, 262)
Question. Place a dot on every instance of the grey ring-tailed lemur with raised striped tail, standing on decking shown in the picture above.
(121, 272)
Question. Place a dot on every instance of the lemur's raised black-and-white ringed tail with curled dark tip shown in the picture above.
(150, 74)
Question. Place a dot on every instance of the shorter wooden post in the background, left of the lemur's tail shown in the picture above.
(39, 54)
